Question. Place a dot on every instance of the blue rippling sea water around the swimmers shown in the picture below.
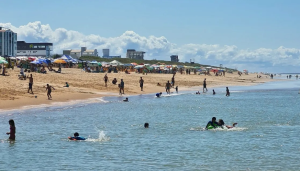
(266, 136)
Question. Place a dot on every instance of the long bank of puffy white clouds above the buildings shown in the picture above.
(158, 47)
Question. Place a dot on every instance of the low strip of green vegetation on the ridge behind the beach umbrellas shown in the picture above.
(128, 61)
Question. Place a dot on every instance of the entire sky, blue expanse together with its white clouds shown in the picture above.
(257, 35)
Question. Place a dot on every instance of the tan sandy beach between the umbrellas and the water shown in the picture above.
(14, 95)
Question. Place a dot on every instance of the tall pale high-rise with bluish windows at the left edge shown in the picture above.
(8, 42)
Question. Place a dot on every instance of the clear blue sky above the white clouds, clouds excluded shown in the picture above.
(248, 25)
